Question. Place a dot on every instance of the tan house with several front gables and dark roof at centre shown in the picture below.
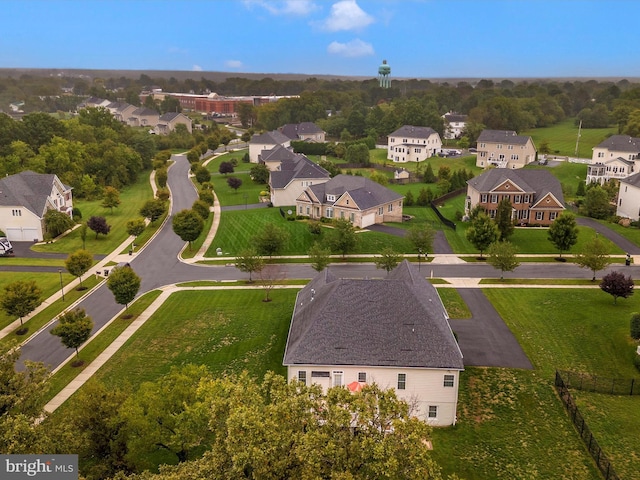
(361, 201)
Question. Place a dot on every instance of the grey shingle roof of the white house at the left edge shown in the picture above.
(27, 189)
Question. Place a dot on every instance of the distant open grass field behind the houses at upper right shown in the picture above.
(562, 138)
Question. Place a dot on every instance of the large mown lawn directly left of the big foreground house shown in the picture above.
(228, 331)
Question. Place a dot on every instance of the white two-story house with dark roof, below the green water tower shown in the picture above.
(413, 144)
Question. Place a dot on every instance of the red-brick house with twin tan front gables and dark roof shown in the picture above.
(535, 195)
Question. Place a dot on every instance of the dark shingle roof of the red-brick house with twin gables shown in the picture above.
(539, 182)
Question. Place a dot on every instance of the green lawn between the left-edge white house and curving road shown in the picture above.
(132, 198)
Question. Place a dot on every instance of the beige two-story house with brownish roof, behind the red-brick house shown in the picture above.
(504, 149)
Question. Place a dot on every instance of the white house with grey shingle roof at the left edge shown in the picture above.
(25, 198)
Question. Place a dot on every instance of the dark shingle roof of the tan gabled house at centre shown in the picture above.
(366, 193)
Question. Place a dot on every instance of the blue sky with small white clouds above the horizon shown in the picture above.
(419, 38)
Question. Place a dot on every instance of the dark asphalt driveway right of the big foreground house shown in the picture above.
(485, 340)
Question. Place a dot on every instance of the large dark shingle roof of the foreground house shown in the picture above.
(396, 322)
